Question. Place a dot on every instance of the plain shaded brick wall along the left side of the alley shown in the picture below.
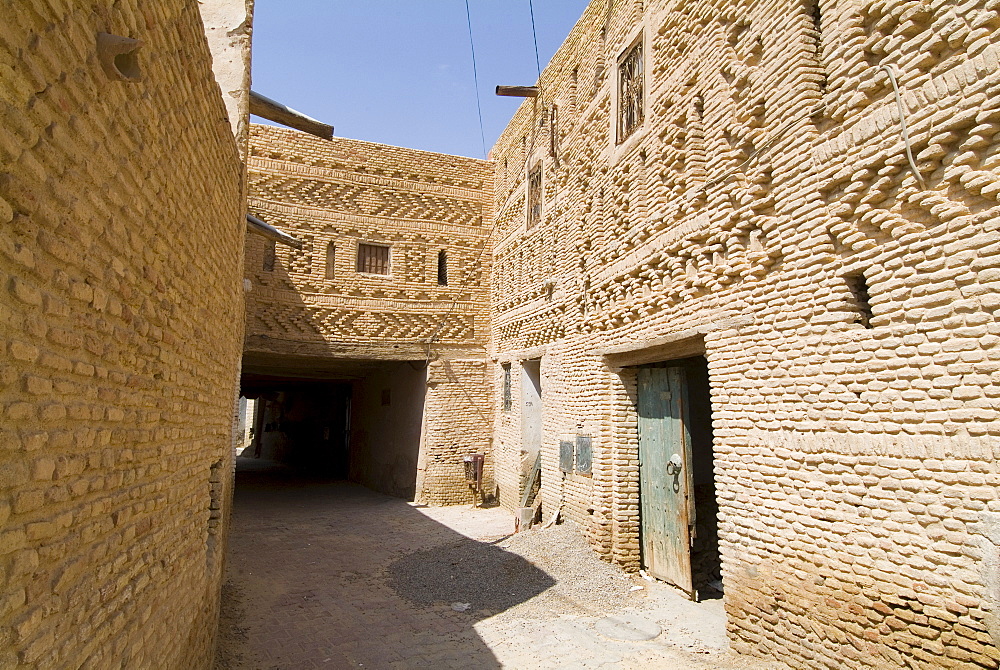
(121, 311)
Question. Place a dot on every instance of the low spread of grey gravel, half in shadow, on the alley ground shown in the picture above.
(537, 574)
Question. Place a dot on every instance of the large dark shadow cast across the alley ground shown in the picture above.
(338, 575)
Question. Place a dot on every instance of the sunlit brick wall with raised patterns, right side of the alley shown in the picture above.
(855, 445)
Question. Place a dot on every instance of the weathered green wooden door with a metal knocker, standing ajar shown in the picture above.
(666, 510)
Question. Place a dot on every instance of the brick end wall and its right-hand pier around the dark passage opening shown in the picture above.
(335, 195)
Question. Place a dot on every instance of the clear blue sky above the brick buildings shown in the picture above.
(400, 71)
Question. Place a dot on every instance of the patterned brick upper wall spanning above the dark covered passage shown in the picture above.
(345, 192)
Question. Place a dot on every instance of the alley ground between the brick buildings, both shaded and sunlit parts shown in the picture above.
(332, 575)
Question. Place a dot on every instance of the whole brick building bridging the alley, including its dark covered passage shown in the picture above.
(367, 346)
